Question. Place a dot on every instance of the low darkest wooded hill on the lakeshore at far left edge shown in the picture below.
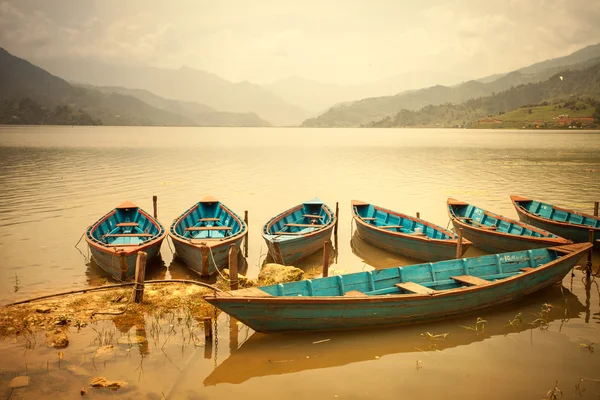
(28, 112)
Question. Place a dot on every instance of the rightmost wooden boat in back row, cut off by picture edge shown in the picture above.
(568, 223)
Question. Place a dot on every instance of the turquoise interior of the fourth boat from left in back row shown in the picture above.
(397, 222)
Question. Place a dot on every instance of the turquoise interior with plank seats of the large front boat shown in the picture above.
(421, 278)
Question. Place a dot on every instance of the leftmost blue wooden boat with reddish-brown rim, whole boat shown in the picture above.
(117, 237)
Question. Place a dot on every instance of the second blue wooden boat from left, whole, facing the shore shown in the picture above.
(203, 234)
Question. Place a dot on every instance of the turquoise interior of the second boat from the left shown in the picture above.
(208, 220)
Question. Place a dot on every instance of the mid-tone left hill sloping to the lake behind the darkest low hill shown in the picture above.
(19, 79)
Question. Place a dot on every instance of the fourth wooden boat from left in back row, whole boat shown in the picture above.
(402, 234)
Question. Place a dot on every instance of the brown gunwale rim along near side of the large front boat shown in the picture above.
(569, 251)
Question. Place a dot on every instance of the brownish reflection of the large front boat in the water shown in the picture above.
(276, 354)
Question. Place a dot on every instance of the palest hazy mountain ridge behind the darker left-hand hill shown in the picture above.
(184, 84)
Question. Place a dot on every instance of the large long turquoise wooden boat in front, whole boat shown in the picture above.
(408, 294)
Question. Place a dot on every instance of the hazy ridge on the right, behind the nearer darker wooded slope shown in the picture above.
(373, 109)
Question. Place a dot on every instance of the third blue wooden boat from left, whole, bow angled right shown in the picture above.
(299, 232)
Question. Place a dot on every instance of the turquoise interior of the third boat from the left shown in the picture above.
(309, 217)
